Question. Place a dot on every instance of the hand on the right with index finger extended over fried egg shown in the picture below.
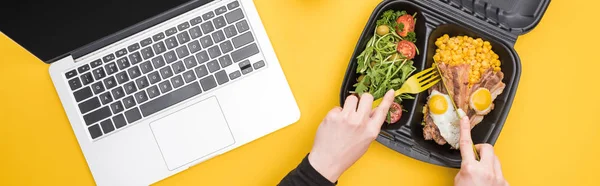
(487, 171)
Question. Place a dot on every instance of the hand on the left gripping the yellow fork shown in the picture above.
(346, 133)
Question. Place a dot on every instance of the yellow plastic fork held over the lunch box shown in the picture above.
(417, 83)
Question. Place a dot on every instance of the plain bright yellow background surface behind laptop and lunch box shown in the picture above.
(550, 138)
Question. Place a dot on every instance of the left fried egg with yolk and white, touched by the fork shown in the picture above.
(444, 116)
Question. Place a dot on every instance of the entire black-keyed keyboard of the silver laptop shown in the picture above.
(165, 69)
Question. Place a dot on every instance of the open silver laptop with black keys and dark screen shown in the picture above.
(153, 87)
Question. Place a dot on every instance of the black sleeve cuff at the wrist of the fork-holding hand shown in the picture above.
(305, 174)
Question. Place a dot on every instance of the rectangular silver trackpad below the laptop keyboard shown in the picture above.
(192, 133)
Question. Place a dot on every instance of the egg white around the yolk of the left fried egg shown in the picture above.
(448, 122)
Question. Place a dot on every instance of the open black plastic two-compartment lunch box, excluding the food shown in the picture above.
(500, 22)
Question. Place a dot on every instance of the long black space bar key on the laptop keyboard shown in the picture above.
(172, 98)
